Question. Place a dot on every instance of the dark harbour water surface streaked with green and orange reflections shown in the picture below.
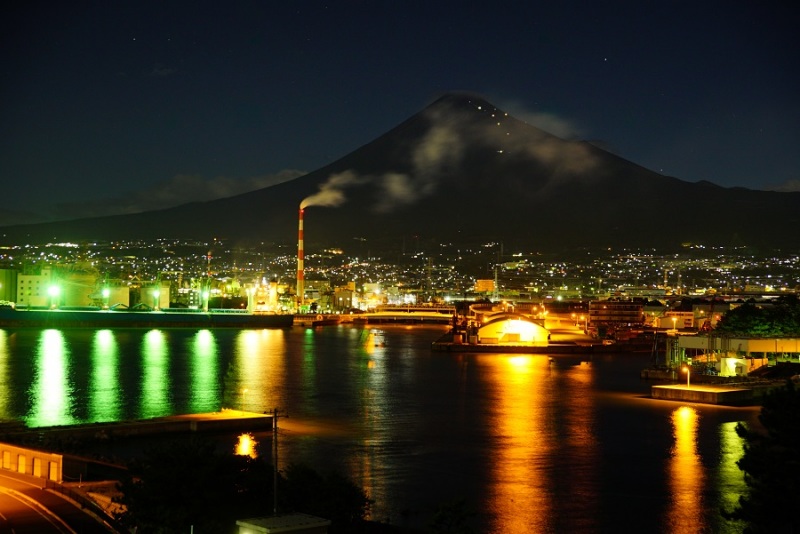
(532, 445)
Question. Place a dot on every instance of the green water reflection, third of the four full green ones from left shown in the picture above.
(155, 383)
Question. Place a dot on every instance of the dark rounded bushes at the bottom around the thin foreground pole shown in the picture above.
(188, 486)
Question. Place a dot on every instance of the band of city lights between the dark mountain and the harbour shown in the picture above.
(176, 273)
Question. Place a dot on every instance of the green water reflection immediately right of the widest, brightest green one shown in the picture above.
(104, 384)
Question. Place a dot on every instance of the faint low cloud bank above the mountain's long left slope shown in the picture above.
(180, 189)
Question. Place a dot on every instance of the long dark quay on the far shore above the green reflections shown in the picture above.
(164, 318)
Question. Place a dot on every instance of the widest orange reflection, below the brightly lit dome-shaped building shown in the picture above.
(519, 496)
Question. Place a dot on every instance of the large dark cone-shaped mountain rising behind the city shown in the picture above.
(463, 170)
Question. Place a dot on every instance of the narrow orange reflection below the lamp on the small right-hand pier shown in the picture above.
(686, 475)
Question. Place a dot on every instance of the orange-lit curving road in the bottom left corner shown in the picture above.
(27, 508)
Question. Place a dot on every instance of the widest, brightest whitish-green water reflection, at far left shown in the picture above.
(51, 393)
